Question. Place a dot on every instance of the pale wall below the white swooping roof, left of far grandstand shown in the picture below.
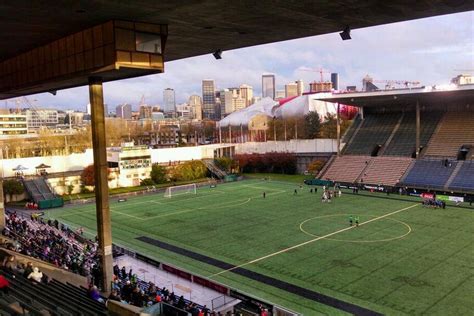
(293, 146)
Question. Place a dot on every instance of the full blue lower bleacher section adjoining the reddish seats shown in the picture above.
(429, 173)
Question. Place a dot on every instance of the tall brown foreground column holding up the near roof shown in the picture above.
(104, 232)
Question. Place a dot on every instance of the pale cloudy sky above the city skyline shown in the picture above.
(431, 50)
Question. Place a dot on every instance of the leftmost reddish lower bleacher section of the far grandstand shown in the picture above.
(346, 168)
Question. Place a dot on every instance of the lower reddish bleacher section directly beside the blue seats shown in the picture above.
(386, 170)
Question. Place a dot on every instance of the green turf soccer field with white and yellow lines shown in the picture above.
(402, 259)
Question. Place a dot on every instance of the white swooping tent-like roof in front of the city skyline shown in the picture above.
(297, 107)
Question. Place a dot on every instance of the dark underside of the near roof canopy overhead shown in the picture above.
(197, 27)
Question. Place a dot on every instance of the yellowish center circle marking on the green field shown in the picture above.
(307, 230)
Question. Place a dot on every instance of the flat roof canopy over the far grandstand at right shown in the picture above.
(446, 94)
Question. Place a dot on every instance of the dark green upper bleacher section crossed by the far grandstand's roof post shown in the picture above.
(403, 142)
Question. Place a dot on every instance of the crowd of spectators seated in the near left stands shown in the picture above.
(57, 244)
